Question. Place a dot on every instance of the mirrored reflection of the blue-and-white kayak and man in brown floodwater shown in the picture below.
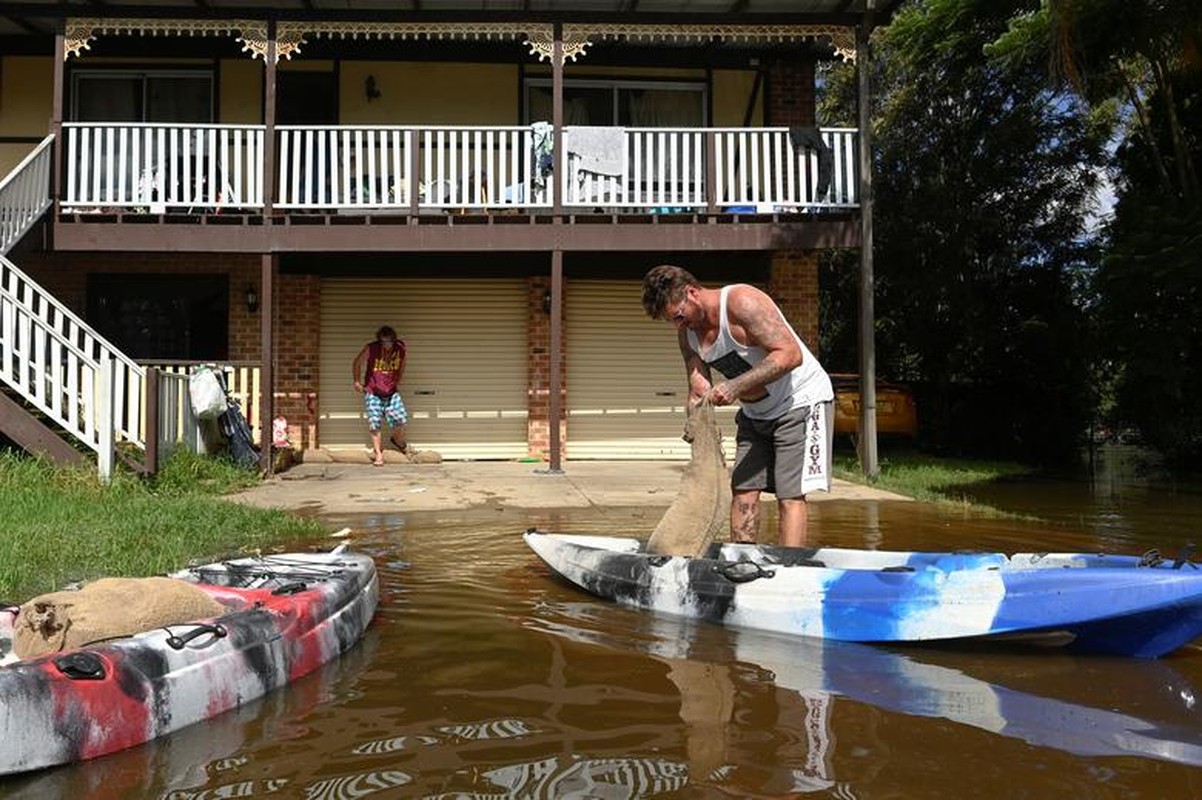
(1145, 709)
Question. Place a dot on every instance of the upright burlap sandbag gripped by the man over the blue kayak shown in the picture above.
(703, 506)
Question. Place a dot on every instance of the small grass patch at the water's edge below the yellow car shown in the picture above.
(930, 479)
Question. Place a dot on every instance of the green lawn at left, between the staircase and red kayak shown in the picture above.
(61, 526)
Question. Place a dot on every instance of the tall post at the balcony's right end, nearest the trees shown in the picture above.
(868, 463)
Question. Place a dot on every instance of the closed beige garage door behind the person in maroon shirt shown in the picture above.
(466, 377)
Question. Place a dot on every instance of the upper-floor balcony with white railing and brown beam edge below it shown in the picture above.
(325, 180)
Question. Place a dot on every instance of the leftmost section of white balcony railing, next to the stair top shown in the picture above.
(163, 168)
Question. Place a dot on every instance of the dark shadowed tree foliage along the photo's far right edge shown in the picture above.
(1143, 63)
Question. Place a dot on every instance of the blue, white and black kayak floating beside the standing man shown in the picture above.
(1116, 605)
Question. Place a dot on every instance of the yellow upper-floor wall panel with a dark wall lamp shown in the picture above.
(433, 94)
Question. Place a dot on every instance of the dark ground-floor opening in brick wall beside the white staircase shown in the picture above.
(163, 317)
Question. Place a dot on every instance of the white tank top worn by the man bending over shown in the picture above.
(805, 386)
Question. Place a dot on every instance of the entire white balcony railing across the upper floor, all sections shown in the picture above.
(407, 169)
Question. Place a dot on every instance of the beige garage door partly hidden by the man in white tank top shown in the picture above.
(627, 389)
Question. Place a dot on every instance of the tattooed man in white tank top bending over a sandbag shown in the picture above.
(786, 423)
